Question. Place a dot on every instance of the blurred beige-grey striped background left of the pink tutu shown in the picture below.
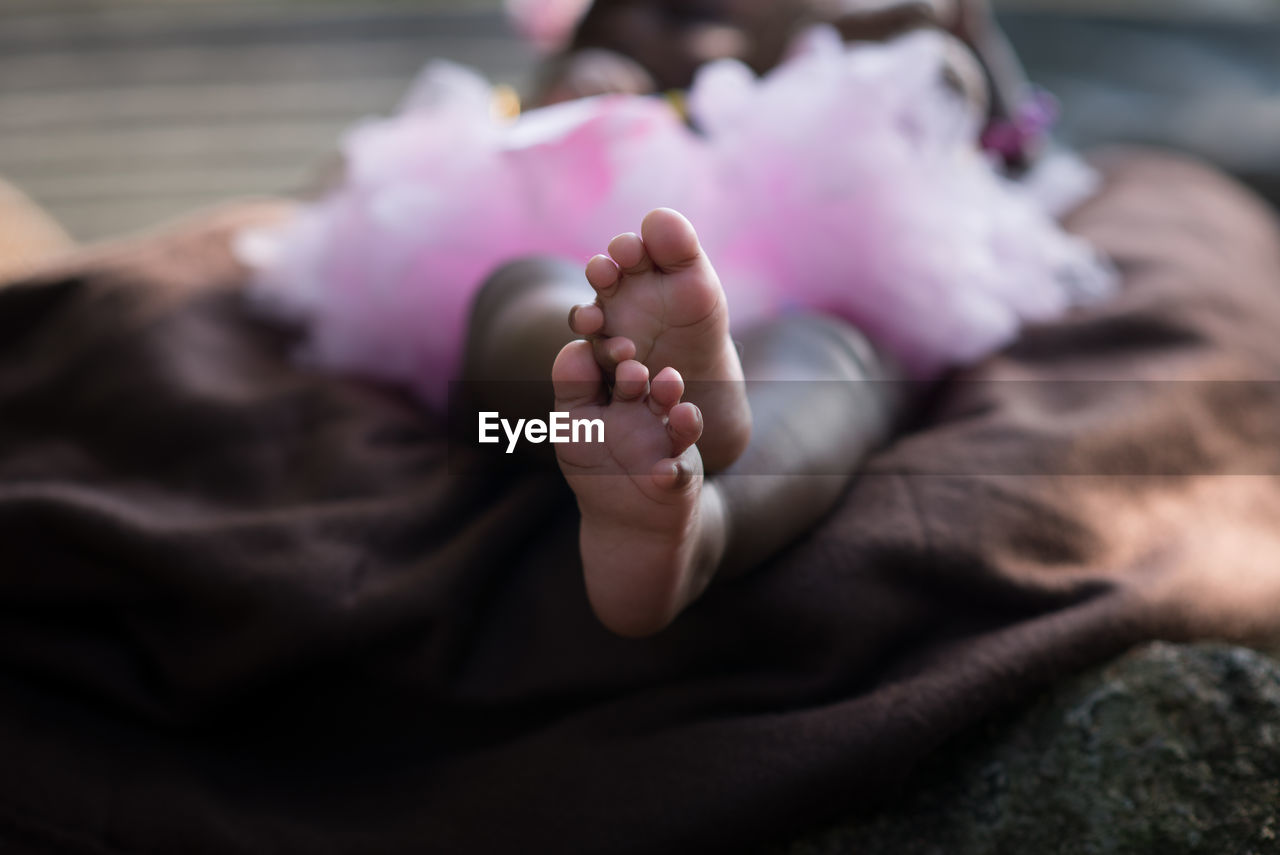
(116, 116)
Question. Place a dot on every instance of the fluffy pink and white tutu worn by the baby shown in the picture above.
(848, 181)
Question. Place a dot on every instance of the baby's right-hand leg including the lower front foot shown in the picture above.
(656, 531)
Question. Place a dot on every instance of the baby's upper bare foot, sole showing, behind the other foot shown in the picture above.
(661, 303)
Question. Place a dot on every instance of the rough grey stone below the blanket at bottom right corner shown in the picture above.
(1172, 751)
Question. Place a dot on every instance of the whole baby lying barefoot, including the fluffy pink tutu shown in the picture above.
(848, 182)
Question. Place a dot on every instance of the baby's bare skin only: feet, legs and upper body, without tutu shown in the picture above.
(701, 474)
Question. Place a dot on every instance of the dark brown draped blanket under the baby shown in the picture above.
(246, 609)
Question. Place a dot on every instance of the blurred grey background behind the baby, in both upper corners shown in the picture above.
(120, 115)
